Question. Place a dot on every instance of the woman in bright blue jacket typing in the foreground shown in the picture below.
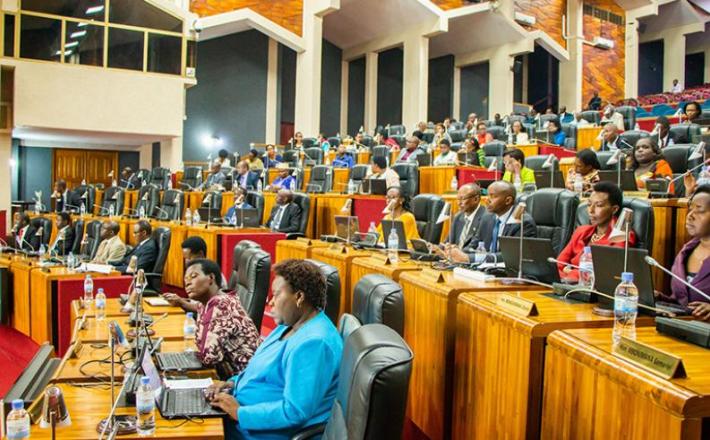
(291, 381)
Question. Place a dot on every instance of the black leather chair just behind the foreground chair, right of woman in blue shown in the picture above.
(377, 299)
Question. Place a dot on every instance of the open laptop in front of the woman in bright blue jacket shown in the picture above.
(177, 403)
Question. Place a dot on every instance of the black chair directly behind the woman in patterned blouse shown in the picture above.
(253, 282)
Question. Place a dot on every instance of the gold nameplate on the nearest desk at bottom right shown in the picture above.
(663, 364)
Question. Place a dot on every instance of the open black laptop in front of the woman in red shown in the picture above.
(536, 251)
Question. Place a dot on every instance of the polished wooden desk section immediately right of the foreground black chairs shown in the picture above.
(429, 329)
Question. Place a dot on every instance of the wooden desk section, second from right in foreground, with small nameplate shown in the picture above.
(500, 358)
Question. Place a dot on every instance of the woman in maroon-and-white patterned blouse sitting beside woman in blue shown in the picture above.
(226, 337)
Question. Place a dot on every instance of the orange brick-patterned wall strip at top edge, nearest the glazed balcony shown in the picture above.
(285, 13)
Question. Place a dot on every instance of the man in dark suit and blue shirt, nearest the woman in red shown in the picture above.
(498, 222)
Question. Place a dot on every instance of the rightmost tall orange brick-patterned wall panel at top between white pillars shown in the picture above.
(603, 69)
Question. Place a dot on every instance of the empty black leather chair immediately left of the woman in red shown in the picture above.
(554, 211)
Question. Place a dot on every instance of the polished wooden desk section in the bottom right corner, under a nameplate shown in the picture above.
(590, 393)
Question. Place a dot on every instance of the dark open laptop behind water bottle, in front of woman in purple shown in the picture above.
(608, 265)
